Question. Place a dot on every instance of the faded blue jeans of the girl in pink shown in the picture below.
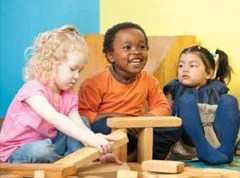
(47, 150)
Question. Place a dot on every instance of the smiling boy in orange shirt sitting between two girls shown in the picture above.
(123, 88)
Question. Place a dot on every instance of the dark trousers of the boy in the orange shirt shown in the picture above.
(163, 138)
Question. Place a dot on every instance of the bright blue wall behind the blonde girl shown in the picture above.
(22, 20)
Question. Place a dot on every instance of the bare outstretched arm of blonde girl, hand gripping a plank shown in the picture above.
(66, 125)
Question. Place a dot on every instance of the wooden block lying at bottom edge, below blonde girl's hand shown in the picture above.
(108, 170)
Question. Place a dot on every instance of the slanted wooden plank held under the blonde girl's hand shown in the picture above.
(88, 154)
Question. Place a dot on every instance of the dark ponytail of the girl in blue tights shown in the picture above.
(224, 70)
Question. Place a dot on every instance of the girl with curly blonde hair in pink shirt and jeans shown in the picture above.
(42, 123)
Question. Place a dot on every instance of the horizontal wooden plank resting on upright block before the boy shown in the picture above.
(142, 122)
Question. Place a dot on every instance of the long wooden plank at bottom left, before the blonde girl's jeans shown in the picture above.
(27, 170)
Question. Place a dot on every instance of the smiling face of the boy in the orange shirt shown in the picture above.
(129, 55)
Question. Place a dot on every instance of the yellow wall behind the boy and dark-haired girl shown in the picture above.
(214, 22)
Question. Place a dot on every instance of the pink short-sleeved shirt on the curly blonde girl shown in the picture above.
(23, 125)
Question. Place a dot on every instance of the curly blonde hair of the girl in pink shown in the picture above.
(50, 47)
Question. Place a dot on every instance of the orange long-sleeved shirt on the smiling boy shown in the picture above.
(102, 93)
